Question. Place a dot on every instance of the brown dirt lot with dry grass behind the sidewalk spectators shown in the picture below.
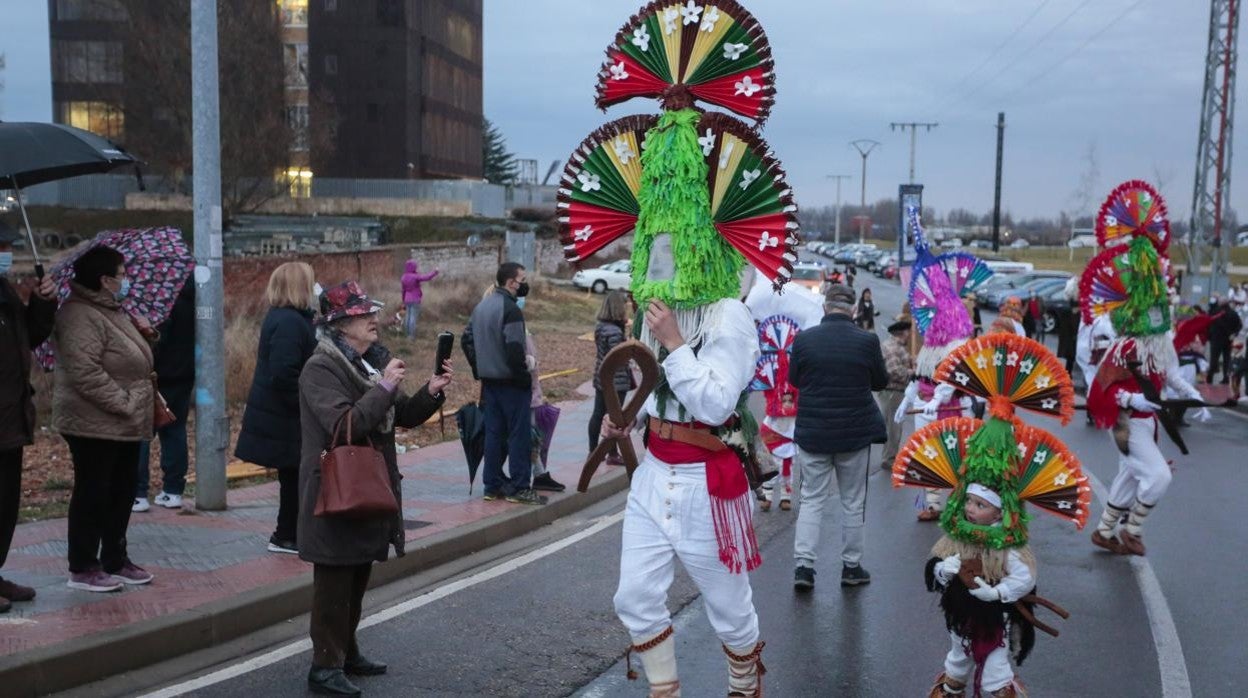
(558, 318)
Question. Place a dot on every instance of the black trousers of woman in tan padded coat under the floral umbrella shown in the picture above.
(104, 491)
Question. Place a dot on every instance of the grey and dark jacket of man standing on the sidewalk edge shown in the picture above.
(494, 343)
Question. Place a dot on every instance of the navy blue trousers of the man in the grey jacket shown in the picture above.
(509, 435)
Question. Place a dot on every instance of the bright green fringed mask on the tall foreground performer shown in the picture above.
(693, 264)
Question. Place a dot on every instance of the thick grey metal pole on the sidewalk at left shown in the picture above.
(212, 425)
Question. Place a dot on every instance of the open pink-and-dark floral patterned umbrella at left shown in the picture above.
(158, 264)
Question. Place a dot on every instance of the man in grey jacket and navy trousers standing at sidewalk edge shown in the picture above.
(495, 345)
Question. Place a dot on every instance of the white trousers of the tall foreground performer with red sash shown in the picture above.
(668, 518)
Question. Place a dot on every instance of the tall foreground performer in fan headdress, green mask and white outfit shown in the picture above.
(703, 195)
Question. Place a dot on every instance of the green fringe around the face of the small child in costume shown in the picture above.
(992, 460)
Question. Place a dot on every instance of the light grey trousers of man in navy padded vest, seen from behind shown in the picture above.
(817, 484)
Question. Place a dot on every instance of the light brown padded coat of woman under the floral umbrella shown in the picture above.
(103, 385)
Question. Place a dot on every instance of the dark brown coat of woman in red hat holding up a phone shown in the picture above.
(326, 394)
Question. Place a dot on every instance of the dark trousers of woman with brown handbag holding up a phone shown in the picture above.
(338, 599)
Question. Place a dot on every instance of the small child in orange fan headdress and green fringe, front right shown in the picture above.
(983, 566)
